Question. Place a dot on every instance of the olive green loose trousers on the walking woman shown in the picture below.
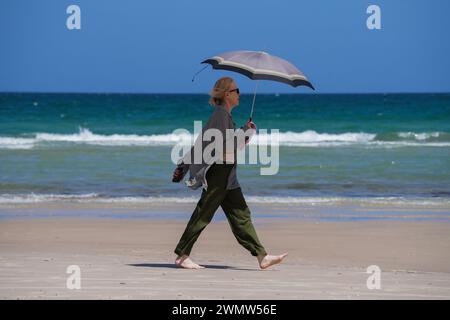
(235, 208)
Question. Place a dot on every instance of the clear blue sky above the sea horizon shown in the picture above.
(156, 46)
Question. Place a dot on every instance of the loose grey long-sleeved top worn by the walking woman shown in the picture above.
(220, 119)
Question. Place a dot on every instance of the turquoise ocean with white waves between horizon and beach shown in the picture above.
(117, 147)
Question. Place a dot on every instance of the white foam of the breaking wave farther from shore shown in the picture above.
(307, 138)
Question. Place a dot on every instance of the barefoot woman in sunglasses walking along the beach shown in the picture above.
(220, 186)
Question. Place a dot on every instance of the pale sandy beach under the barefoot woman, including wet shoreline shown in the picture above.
(129, 256)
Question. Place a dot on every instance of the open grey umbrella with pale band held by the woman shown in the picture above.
(259, 65)
